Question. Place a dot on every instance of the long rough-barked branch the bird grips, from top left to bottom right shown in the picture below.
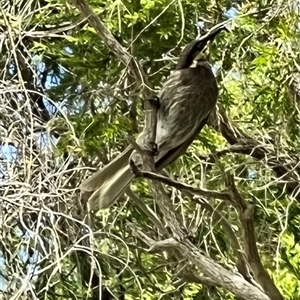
(226, 279)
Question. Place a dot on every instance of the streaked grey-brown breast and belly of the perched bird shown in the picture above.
(186, 100)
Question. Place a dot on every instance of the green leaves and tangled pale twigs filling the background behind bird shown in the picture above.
(67, 104)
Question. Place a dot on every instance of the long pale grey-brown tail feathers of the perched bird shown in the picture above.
(109, 183)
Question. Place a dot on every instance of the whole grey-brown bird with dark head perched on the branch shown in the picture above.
(186, 100)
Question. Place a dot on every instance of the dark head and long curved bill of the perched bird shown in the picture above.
(195, 51)
